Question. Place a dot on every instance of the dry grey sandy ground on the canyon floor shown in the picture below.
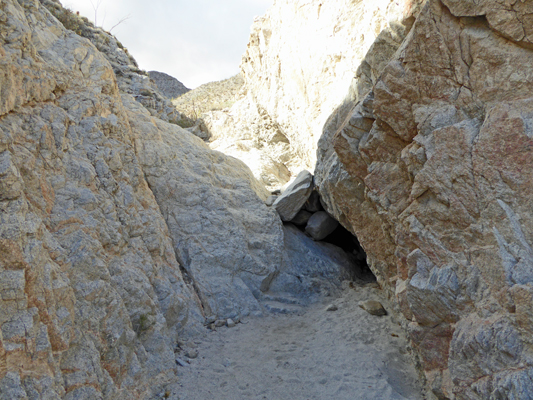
(319, 354)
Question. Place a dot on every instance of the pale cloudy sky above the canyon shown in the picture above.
(195, 41)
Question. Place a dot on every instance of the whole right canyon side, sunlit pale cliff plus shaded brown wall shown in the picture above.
(420, 117)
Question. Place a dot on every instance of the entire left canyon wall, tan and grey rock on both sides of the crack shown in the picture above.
(119, 232)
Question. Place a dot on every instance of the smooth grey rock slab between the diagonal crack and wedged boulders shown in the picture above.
(225, 237)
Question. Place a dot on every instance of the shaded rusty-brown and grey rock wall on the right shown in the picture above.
(437, 165)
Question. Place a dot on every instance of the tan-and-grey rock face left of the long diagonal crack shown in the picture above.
(92, 295)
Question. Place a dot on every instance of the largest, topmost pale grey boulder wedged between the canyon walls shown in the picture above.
(294, 196)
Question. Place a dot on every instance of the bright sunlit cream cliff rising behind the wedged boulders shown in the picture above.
(297, 73)
